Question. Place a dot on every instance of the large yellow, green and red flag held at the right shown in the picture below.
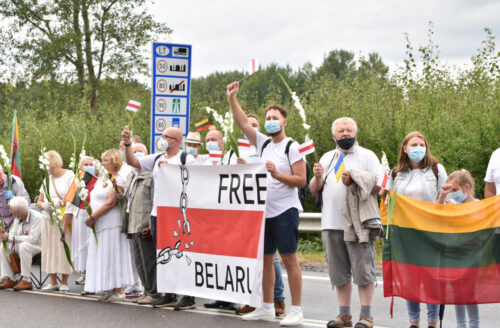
(443, 254)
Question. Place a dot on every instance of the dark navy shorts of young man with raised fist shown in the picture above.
(282, 232)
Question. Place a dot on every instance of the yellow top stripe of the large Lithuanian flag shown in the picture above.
(444, 218)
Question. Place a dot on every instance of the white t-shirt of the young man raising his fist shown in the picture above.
(280, 197)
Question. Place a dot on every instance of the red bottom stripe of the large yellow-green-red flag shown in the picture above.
(475, 285)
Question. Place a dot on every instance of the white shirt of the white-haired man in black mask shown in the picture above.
(334, 193)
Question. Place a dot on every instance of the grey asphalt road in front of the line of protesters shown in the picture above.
(39, 309)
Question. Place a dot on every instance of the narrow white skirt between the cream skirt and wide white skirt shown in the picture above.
(80, 240)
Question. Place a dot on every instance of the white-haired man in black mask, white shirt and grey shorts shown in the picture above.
(345, 259)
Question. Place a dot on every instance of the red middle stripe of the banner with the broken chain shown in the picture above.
(217, 232)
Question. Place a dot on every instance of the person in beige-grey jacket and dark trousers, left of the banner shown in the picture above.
(137, 203)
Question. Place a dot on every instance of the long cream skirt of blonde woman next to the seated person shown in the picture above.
(53, 256)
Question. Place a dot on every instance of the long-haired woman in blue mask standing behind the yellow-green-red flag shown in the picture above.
(420, 176)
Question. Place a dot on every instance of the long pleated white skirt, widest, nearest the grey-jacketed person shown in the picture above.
(109, 263)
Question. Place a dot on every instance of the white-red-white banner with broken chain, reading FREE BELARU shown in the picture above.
(214, 247)
